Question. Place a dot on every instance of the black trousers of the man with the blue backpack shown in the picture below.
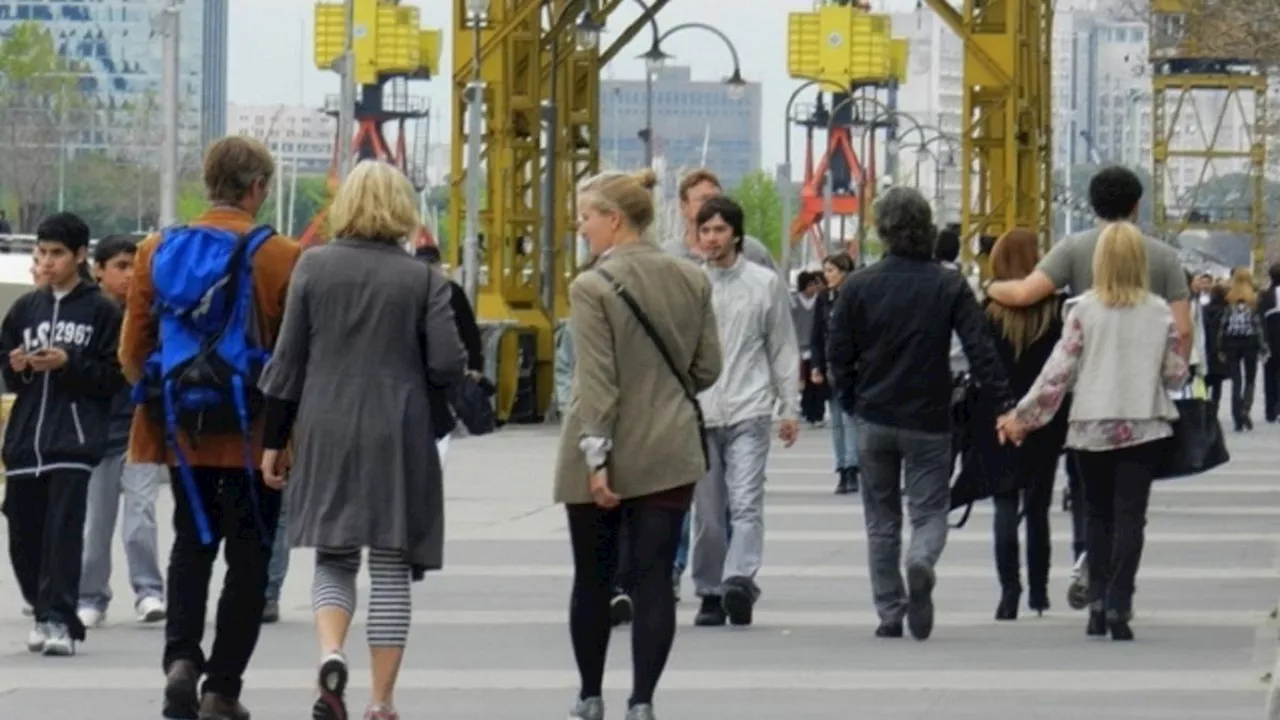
(246, 530)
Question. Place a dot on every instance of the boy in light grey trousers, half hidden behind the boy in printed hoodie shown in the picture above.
(139, 484)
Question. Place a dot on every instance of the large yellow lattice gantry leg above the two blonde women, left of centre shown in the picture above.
(515, 69)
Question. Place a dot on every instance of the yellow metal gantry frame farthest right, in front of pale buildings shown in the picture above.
(1188, 81)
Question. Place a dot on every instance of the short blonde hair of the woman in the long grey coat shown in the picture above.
(376, 203)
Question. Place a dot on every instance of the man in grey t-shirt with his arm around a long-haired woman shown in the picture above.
(1114, 194)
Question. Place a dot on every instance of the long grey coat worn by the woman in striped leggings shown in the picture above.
(367, 327)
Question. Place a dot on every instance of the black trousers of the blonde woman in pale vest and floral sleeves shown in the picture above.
(1118, 489)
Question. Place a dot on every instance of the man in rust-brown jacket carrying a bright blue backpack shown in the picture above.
(204, 311)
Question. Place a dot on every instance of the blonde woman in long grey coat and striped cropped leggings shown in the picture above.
(367, 330)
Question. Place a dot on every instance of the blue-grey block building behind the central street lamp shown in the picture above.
(694, 124)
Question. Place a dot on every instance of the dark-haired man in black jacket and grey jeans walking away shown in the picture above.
(889, 354)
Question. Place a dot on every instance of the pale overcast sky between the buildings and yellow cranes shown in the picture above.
(272, 61)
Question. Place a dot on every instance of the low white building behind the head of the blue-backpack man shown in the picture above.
(295, 134)
